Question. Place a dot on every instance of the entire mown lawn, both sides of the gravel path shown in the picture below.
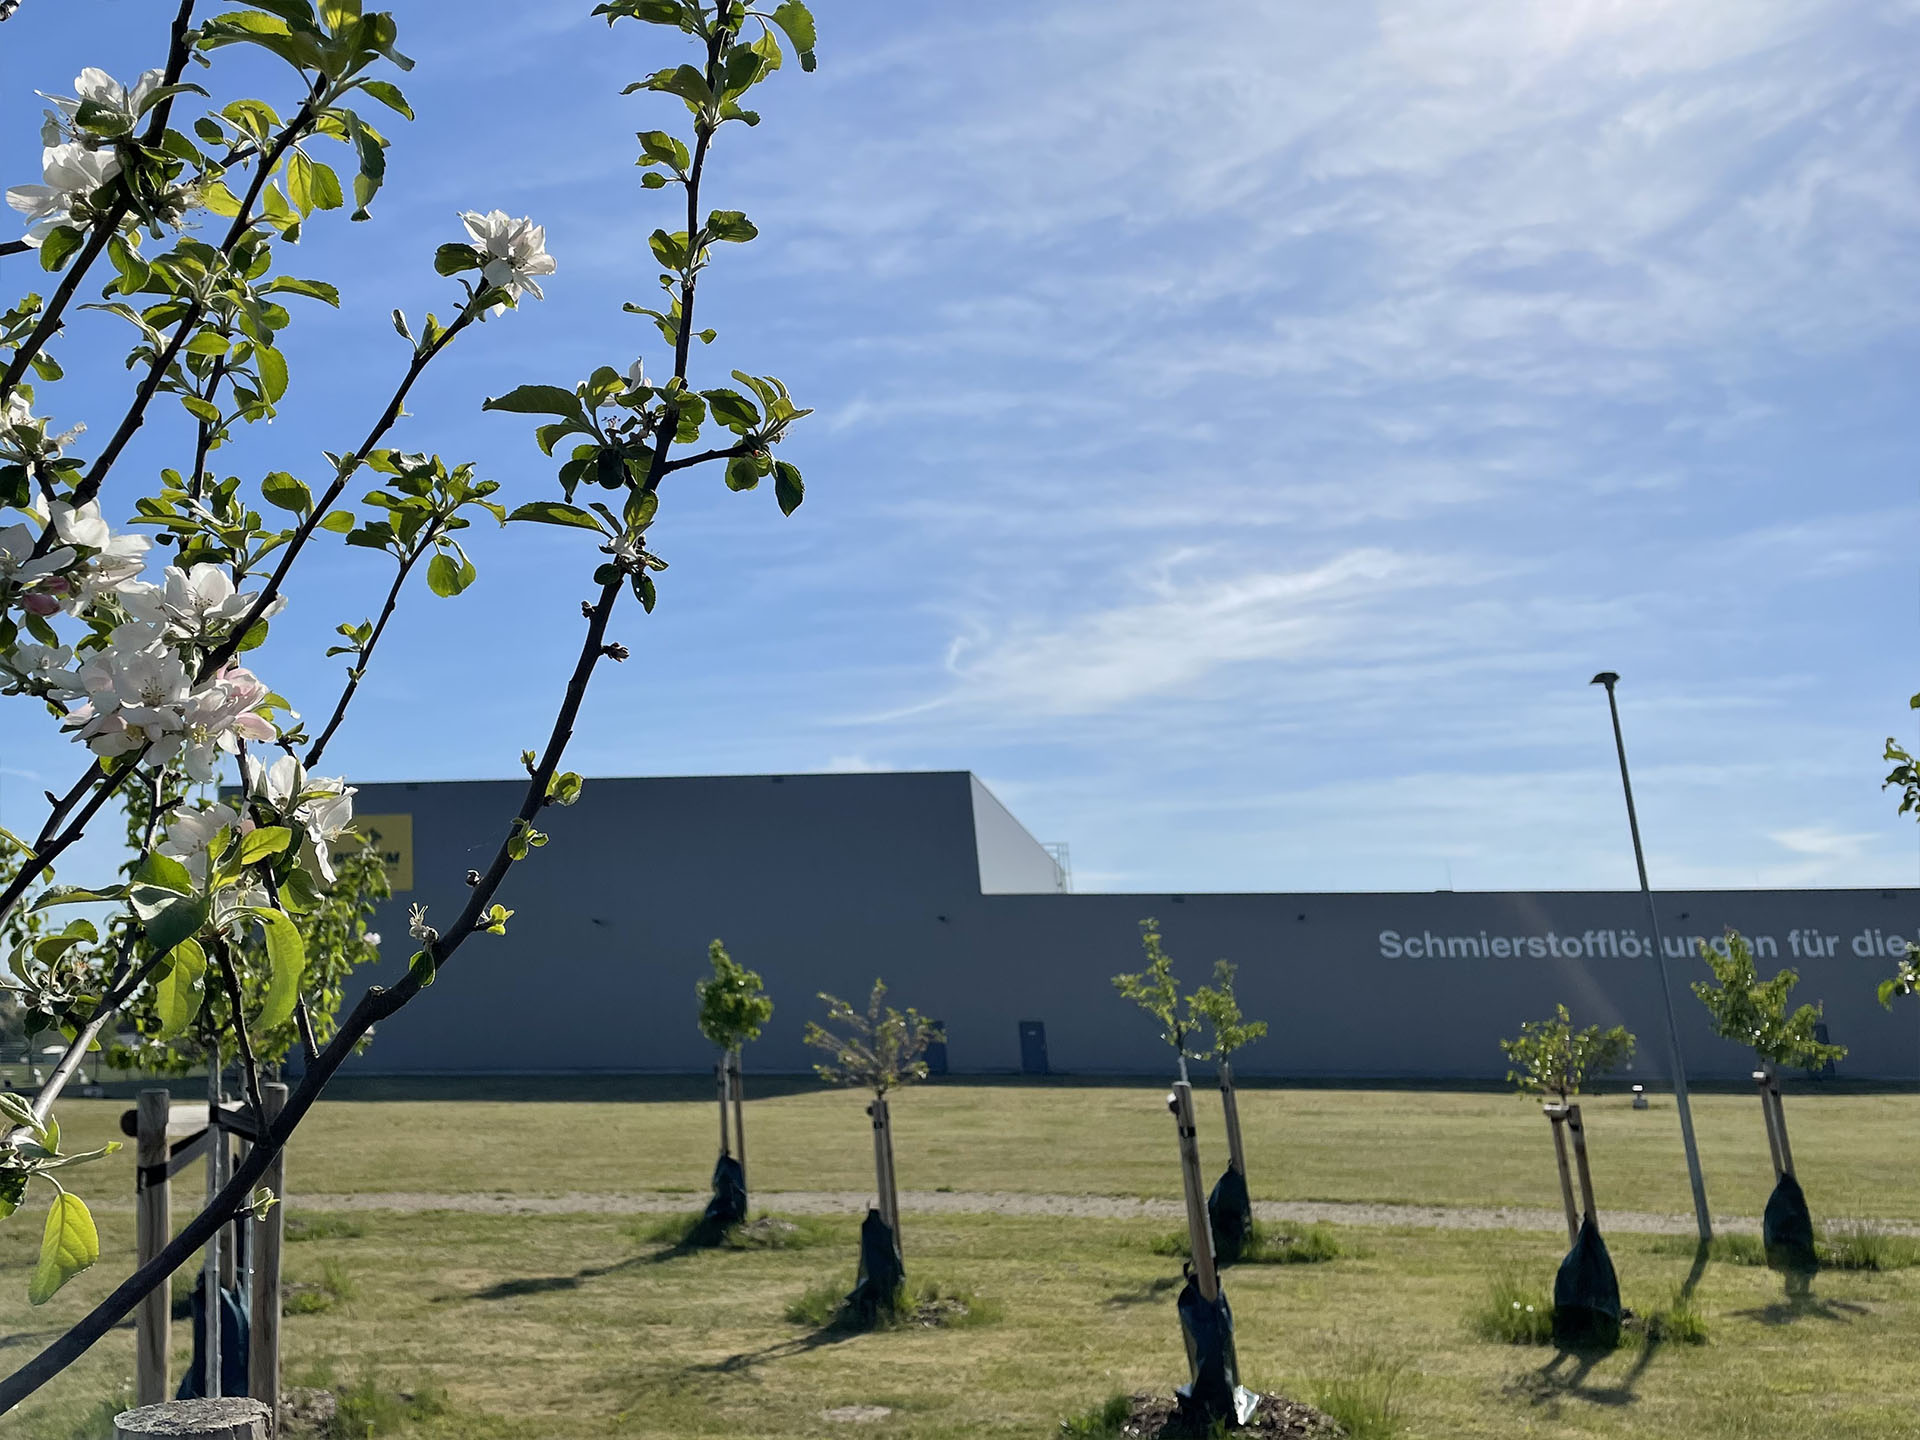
(579, 1326)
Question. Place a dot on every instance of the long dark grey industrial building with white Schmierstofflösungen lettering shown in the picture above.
(828, 882)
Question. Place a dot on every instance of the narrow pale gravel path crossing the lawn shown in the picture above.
(1067, 1207)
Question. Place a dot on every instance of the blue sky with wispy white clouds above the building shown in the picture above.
(1241, 429)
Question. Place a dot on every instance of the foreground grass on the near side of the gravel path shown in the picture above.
(556, 1328)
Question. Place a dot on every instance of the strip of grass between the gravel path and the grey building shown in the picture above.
(1856, 1153)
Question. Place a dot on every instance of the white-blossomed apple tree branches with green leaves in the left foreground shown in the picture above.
(178, 208)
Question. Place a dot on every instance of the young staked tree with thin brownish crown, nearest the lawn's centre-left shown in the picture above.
(880, 1051)
